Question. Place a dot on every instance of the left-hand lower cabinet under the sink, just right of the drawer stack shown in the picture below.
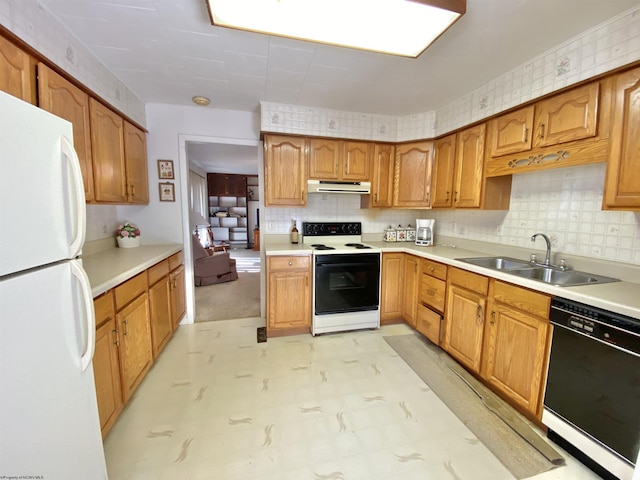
(464, 317)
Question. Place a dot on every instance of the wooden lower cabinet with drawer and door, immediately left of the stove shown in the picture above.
(288, 295)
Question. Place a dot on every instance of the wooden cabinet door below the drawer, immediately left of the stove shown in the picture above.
(282, 311)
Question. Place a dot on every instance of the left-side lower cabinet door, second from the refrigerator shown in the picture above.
(135, 345)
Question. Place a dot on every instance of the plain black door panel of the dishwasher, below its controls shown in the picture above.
(595, 387)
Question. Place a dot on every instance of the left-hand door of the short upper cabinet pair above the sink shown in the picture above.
(512, 132)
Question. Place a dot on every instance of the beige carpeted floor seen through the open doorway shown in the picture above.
(236, 299)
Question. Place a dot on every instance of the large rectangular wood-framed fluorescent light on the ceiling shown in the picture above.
(397, 27)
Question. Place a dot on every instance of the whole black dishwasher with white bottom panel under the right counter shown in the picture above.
(592, 398)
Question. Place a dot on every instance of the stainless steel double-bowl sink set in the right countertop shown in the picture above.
(540, 273)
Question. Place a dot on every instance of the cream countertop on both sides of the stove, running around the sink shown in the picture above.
(620, 297)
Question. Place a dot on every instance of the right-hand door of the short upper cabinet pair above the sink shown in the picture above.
(567, 117)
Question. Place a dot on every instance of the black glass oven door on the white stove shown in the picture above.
(347, 283)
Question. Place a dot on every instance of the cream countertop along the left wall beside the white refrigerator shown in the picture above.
(111, 267)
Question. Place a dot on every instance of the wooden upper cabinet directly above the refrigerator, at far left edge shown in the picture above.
(17, 71)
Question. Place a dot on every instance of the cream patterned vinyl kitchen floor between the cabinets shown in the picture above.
(217, 405)
